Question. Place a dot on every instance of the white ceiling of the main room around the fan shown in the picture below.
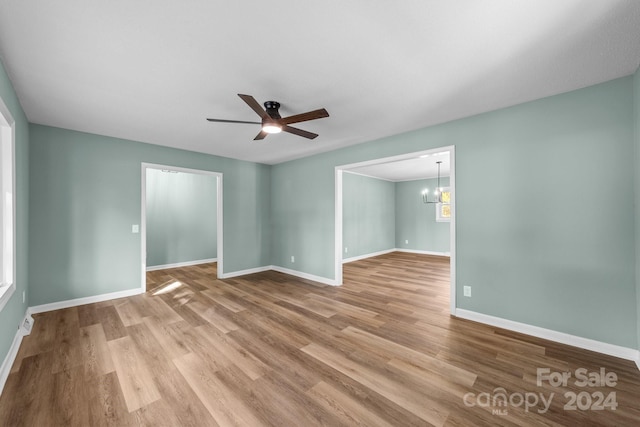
(152, 71)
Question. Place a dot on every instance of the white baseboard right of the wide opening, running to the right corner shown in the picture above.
(551, 335)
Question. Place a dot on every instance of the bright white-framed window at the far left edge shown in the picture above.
(7, 204)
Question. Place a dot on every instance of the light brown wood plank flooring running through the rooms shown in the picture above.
(270, 349)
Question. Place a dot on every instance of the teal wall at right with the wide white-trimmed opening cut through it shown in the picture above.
(551, 253)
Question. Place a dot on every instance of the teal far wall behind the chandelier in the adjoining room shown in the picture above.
(416, 221)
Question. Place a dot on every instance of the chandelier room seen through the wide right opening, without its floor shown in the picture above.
(397, 204)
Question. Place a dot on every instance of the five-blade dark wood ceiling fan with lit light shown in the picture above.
(272, 122)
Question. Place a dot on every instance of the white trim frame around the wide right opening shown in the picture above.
(340, 170)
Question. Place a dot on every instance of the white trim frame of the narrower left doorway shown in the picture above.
(154, 170)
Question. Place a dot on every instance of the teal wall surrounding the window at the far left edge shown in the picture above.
(14, 311)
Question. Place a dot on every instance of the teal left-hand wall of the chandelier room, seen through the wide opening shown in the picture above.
(368, 215)
